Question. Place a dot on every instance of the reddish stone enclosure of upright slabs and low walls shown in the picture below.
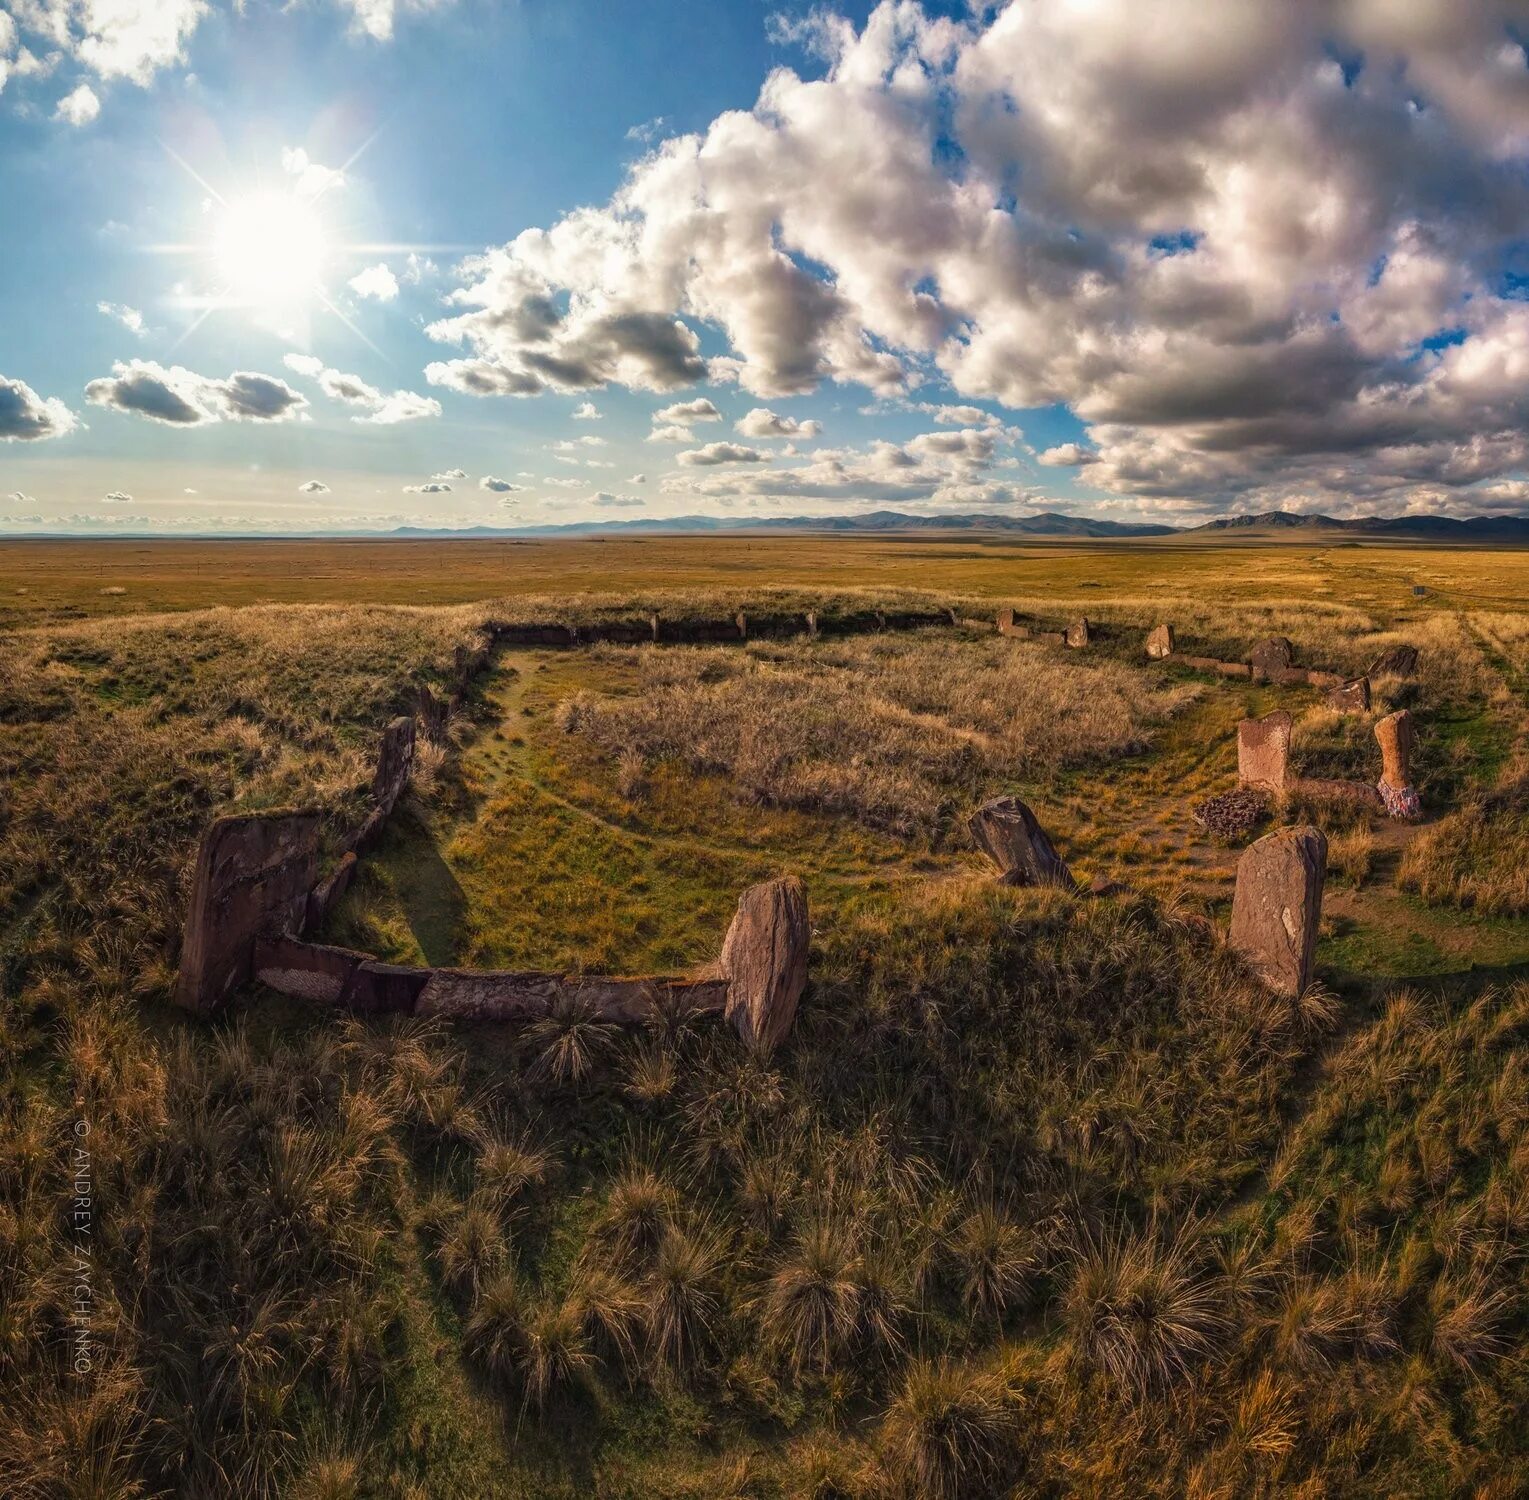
(256, 891)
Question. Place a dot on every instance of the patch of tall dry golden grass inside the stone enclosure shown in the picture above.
(897, 730)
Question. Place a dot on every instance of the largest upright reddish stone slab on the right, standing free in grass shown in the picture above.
(1279, 906)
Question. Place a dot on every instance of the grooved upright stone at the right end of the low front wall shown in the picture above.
(765, 961)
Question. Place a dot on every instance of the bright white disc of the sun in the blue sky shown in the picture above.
(270, 252)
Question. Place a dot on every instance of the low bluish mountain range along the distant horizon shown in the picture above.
(1050, 524)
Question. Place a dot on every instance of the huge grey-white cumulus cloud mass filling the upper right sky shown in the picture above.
(1251, 270)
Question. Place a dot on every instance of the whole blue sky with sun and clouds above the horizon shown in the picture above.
(352, 265)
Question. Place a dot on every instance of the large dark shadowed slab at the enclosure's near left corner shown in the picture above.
(253, 875)
